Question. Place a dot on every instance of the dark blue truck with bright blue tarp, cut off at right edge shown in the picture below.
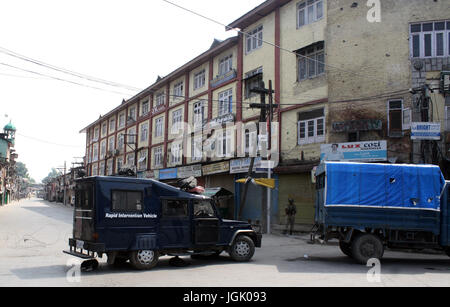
(369, 207)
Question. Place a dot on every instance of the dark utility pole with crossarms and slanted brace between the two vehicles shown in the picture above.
(262, 119)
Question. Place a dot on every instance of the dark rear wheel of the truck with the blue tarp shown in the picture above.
(365, 247)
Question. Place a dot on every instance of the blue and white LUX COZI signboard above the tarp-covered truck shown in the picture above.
(359, 151)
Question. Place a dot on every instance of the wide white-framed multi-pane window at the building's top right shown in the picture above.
(430, 39)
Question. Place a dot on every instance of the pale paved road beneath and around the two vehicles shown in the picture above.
(33, 233)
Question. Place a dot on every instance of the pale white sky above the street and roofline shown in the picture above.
(127, 42)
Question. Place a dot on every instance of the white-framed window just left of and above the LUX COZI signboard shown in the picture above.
(311, 127)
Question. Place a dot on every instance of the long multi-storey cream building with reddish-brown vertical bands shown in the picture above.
(341, 73)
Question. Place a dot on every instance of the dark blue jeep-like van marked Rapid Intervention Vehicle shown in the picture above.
(140, 220)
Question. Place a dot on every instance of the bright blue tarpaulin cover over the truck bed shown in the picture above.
(383, 185)
